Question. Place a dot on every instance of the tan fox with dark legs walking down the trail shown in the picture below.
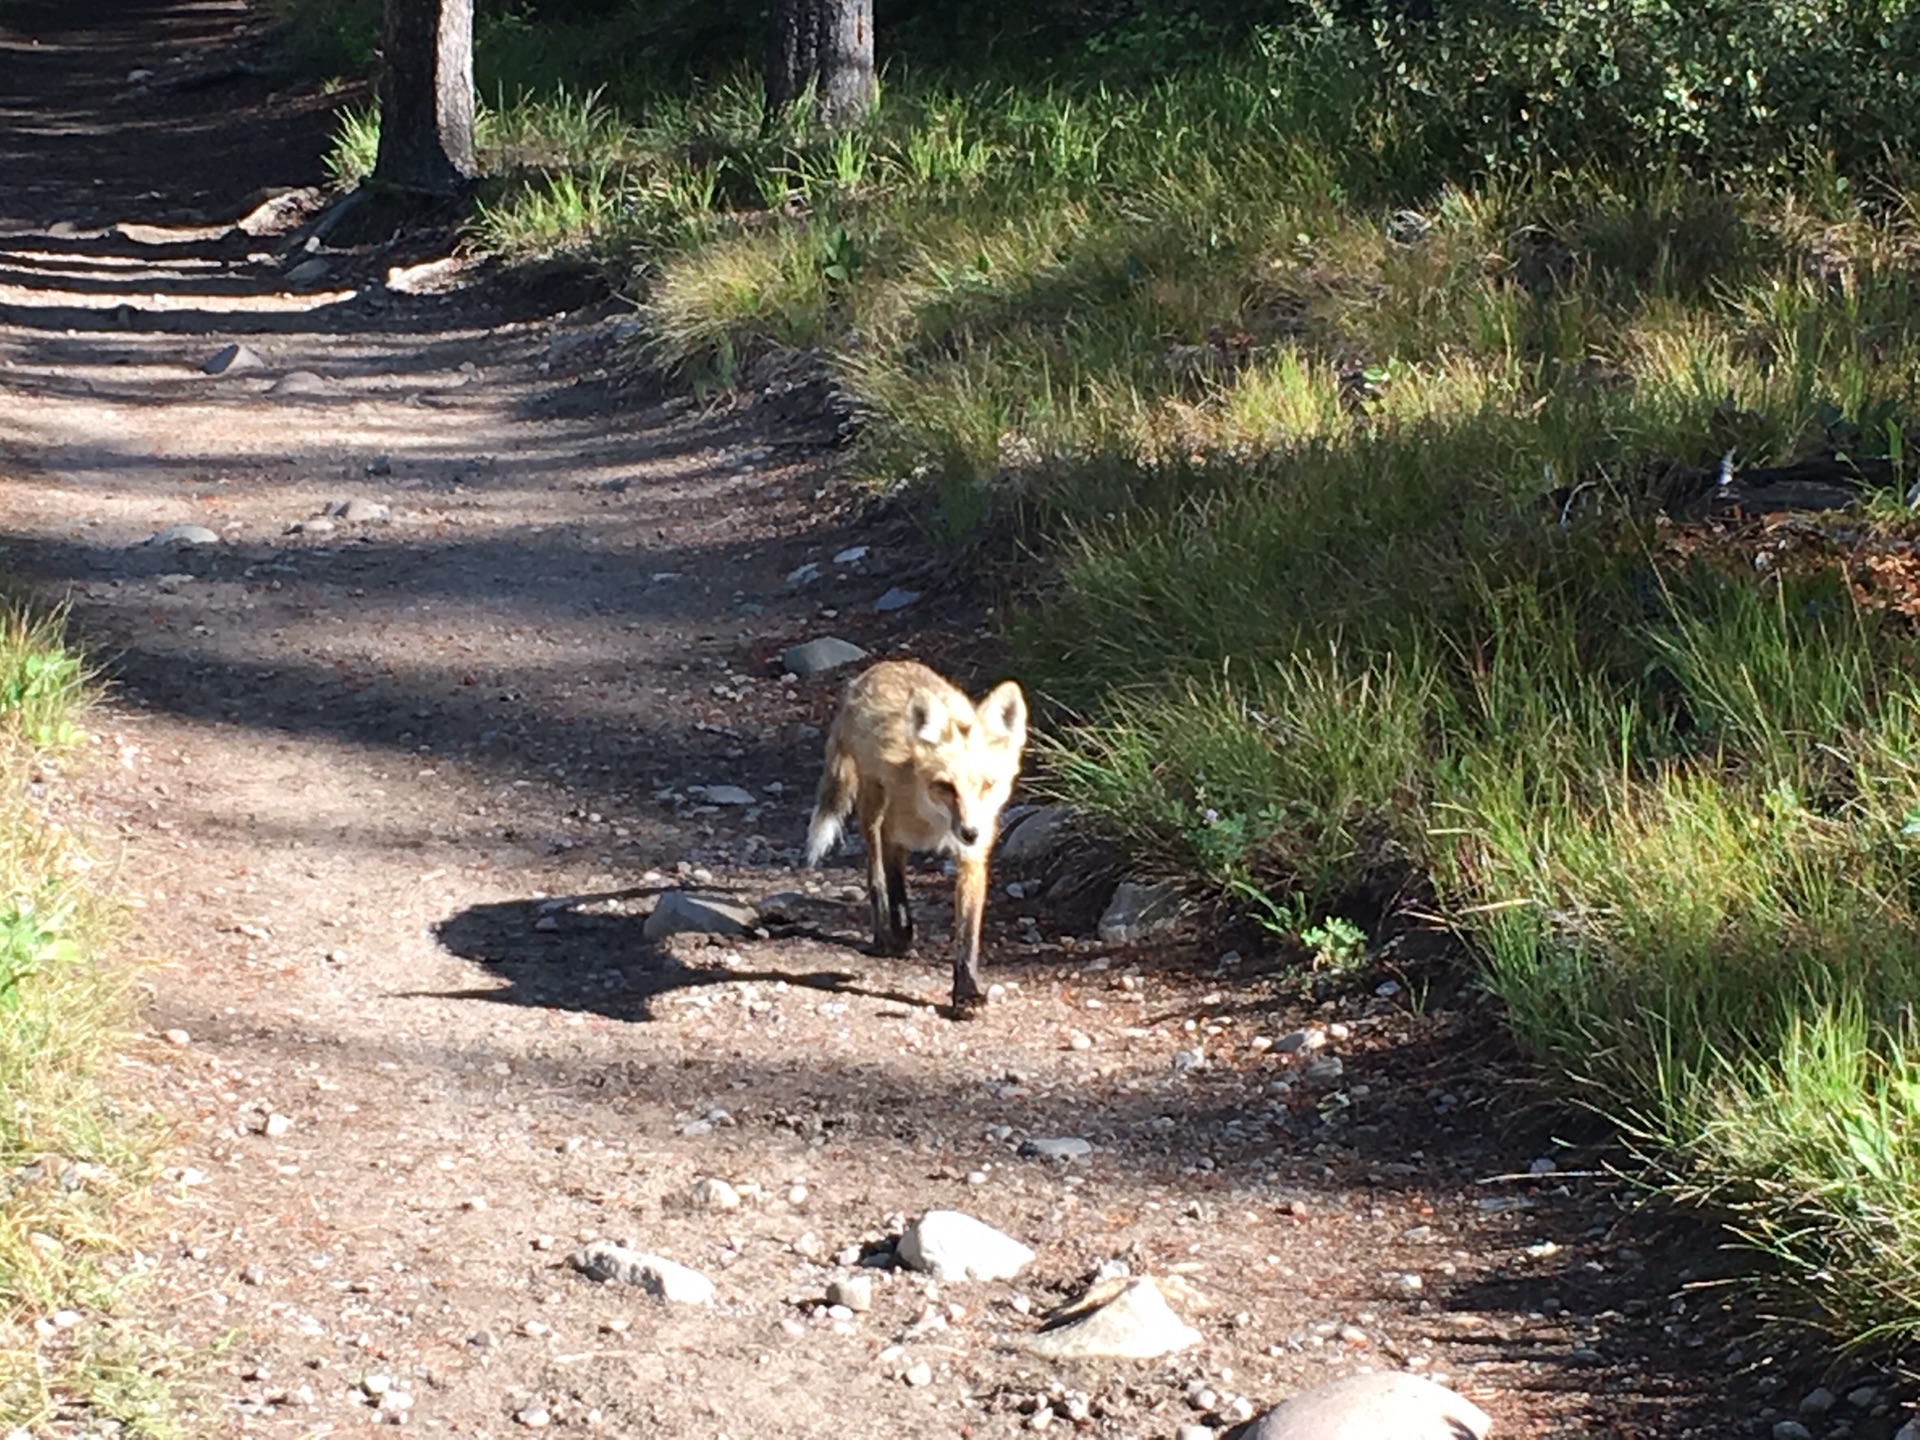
(926, 771)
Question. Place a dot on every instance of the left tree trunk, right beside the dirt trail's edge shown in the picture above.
(427, 97)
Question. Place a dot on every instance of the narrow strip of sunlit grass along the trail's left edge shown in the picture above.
(72, 1157)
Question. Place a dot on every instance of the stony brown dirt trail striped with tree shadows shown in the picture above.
(396, 796)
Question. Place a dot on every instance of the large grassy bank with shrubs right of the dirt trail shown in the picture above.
(1333, 381)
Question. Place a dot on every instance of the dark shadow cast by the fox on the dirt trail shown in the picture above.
(588, 953)
